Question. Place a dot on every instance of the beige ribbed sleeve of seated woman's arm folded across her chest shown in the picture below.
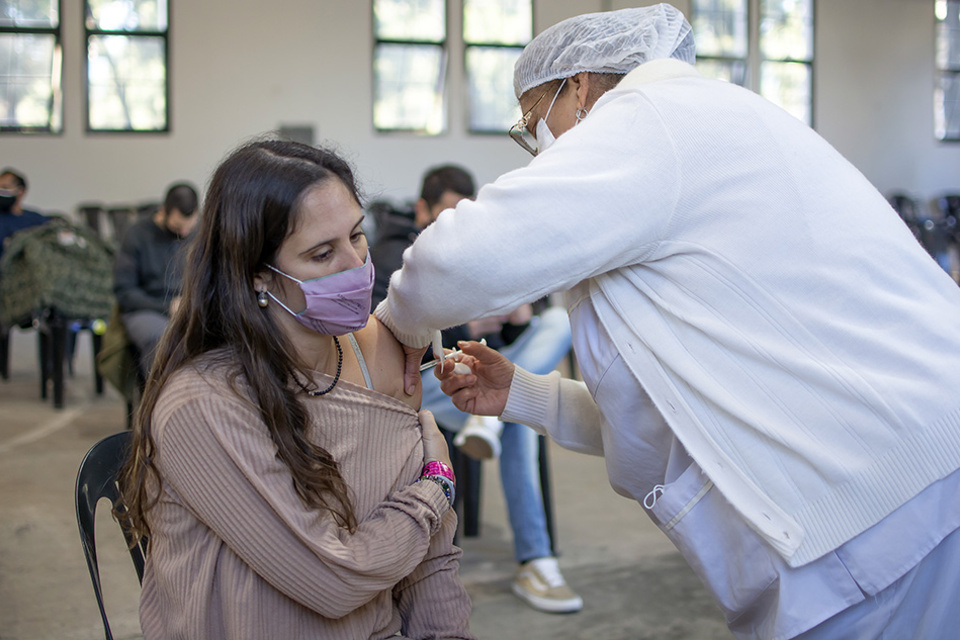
(217, 458)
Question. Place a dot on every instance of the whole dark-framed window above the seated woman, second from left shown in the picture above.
(126, 72)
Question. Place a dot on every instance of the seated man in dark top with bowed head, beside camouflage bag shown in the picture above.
(148, 268)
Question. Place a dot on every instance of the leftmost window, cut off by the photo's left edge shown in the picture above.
(30, 66)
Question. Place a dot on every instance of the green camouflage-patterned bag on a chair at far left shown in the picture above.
(57, 266)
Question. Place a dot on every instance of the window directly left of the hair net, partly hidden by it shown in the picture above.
(494, 34)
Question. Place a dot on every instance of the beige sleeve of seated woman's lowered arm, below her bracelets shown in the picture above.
(432, 600)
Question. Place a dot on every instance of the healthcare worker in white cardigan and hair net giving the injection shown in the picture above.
(769, 358)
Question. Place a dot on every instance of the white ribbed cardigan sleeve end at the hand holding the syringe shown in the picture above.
(558, 407)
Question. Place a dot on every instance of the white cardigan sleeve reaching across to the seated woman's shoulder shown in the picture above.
(600, 198)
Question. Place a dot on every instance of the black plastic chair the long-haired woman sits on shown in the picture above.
(97, 479)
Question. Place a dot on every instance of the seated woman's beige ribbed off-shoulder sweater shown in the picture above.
(234, 552)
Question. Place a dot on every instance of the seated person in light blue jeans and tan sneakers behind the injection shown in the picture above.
(540, 342)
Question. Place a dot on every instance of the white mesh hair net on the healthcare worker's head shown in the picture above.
(606, 42)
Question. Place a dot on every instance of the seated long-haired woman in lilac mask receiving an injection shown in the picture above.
(277, 462)
